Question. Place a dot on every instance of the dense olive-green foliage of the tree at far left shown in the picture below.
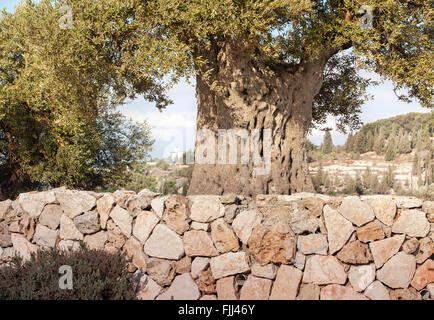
(58, 93)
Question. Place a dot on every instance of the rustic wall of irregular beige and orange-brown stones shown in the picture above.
(302, 246)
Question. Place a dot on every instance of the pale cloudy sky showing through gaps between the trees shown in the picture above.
(175, 126)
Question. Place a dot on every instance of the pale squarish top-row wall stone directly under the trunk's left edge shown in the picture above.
(206, 208)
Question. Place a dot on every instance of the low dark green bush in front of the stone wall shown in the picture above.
(97, 275)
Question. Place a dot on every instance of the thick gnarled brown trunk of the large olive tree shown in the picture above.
(247, 99)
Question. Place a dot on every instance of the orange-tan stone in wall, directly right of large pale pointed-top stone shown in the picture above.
(199, 243)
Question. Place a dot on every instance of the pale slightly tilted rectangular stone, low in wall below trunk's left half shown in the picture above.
(229, 264)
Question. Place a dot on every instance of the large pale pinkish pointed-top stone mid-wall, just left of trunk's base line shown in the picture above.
(173, 248)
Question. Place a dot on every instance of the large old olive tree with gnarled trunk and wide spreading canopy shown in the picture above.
(283, 65)
